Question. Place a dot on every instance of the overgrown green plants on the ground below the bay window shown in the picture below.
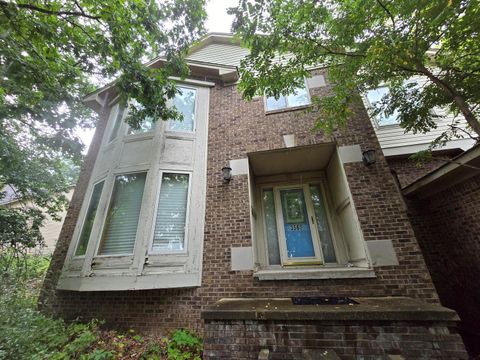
(25, 333)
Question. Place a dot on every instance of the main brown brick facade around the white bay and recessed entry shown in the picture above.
(235, 129)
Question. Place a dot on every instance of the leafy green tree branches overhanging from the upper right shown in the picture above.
(366, 43)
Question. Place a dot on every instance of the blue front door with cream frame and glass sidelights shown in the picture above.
(297, 225)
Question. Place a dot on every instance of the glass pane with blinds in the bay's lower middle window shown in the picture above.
(122, 218)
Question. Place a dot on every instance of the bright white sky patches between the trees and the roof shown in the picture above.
(217, 21)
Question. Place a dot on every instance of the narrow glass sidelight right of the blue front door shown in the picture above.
(322, 225)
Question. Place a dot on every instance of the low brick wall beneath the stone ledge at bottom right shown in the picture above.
(352, 340)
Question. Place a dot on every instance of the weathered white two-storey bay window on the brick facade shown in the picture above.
(142, 227)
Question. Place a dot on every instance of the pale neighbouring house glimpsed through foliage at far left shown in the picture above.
(50, 229)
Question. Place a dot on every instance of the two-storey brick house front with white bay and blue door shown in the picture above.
(217, 222)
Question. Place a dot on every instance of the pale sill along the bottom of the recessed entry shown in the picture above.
(308, 274)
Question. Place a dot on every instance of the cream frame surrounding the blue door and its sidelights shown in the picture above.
(335, 230)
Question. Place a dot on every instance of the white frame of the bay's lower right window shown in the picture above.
(154, 217)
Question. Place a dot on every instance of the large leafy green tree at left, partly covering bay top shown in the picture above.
(52, 53)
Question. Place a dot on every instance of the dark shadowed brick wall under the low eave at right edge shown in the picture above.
(447, 226)
